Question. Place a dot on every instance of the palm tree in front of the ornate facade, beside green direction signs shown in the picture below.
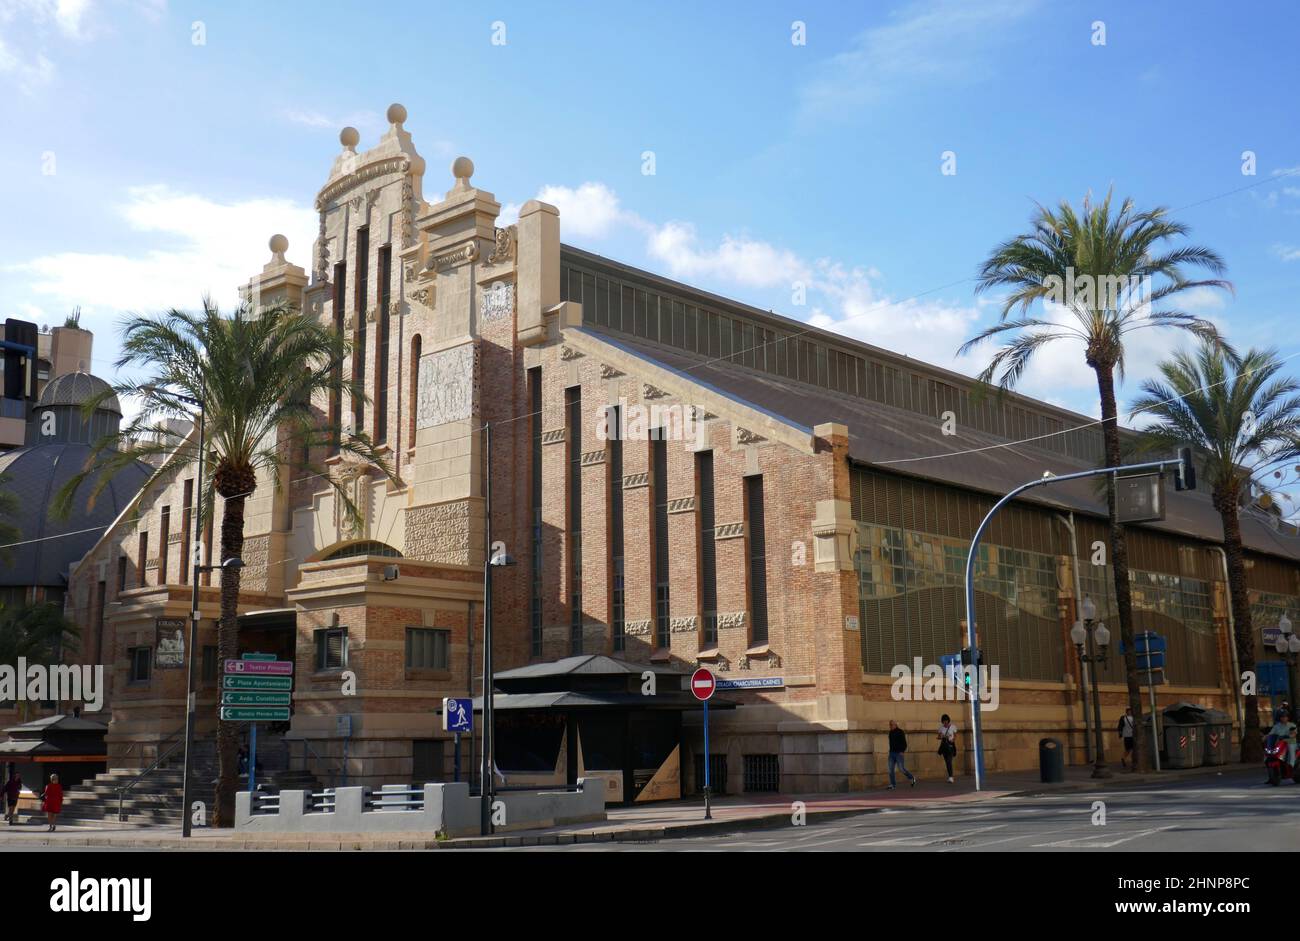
(257, 374)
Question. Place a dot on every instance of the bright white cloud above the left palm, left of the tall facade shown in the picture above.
(202, 246)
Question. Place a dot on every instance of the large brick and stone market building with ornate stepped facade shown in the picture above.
(678, 479)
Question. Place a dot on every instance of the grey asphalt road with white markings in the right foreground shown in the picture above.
(1234, 813)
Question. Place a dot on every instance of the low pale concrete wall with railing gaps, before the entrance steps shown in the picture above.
(448, 809)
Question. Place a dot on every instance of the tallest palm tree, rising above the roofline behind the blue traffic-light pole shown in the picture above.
(1111, 274)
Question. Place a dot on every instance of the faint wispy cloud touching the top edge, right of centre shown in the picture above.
(926, 42)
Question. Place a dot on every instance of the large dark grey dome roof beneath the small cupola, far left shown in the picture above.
(34, 475)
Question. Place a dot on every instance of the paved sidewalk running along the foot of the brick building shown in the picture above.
(629, 825)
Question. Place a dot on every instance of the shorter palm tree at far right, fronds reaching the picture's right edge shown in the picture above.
(1242, 419)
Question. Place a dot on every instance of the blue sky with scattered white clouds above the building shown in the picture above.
(175, 161)
